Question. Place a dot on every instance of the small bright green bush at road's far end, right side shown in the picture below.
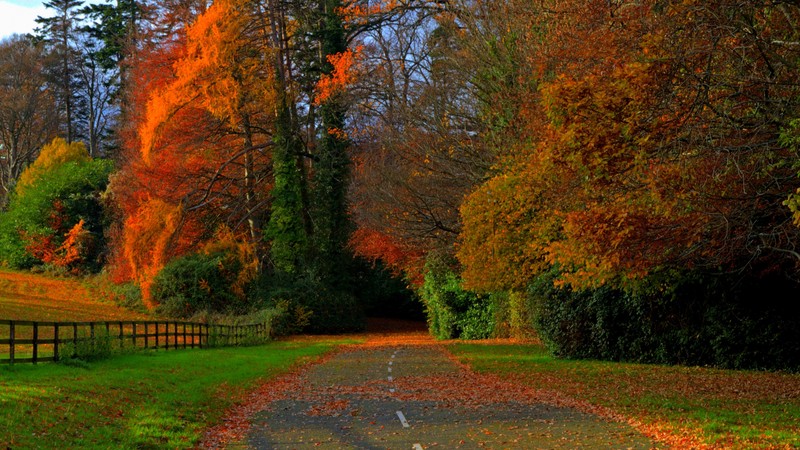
(452, 311)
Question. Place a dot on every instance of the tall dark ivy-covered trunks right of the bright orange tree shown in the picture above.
(309, 225)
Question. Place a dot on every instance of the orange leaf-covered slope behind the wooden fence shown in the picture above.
(26, 296)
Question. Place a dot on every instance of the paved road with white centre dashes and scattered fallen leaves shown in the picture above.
(411, 396)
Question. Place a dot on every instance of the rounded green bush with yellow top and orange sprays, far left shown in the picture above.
(57, 195)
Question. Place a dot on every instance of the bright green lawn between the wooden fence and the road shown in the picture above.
(142, 400)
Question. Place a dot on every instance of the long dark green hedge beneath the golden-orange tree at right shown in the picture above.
(676, 318)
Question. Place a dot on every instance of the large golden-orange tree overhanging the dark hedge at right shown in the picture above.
(653, 147)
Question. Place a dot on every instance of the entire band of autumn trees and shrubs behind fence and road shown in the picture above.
(620, 177)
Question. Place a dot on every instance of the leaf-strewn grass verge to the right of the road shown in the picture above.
(730, 409)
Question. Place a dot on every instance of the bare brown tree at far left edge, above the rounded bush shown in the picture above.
(27, 108)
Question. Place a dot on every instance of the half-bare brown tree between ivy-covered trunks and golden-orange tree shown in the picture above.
(418, 149)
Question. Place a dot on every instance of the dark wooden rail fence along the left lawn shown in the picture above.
(33, 342)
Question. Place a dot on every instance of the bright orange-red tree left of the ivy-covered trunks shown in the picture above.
(195, 156)
